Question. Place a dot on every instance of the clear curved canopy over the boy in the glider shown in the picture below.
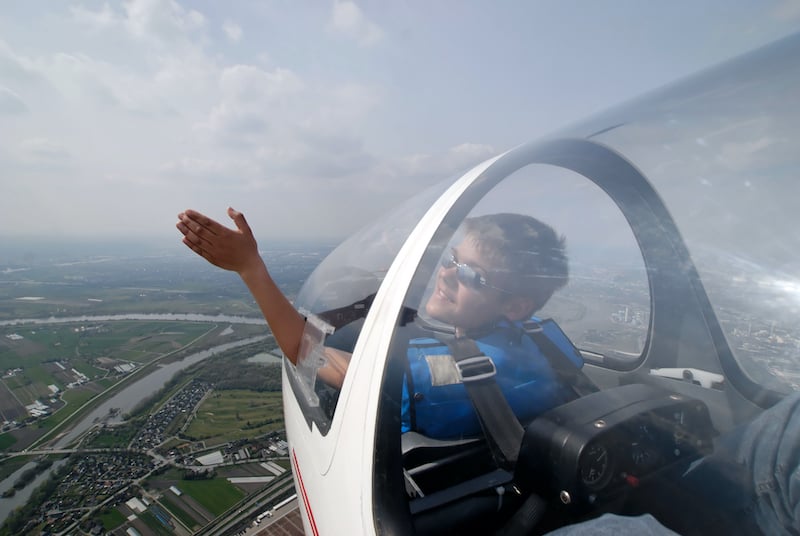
(679, 219)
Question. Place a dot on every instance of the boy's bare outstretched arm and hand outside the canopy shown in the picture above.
(237, 250)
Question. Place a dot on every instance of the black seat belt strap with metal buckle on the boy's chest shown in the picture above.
(500, 425)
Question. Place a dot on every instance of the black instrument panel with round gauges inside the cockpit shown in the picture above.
(600, 445)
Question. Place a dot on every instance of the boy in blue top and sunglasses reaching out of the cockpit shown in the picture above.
(506, 267)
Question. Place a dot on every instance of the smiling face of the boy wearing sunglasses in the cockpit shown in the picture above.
(462, 305)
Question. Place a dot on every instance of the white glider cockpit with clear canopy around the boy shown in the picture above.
(682, 304)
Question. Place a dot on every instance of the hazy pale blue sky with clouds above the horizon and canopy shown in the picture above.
(312, 117)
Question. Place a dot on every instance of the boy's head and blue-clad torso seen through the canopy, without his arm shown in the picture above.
(504, 268)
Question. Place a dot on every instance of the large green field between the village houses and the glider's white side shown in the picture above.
(236, 414)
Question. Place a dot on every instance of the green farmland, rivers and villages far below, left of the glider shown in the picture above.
(138, 393)
